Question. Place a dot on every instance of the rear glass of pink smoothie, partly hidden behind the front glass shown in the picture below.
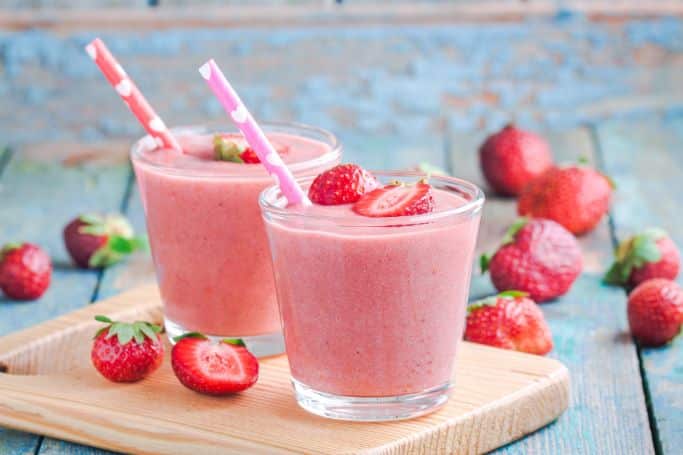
(206, 232)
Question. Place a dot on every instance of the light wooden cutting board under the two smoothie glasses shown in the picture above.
(49, 387)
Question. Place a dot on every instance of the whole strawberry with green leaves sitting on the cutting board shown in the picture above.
(125, 352)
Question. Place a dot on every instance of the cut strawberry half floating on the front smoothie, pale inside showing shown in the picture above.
(397, 199)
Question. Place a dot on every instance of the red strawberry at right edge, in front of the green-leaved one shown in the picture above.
(655, 311)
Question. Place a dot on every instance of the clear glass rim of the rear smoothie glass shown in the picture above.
(257, 171)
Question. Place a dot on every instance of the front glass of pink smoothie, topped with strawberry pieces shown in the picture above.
(373, 308)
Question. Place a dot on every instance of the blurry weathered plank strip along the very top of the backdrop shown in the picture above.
(316, 15)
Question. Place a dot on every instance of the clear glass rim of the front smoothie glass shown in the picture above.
(470, 207)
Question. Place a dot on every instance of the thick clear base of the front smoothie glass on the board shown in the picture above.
(367, 409)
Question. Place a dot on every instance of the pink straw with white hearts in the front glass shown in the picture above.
(252, 133)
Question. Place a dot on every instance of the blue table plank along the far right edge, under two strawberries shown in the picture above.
(646, 161)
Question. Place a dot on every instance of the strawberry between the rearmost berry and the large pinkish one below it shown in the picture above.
(577, 197)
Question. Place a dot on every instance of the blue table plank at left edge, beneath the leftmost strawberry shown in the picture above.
(42, 187)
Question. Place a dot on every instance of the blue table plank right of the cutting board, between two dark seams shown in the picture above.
(607, 412)
